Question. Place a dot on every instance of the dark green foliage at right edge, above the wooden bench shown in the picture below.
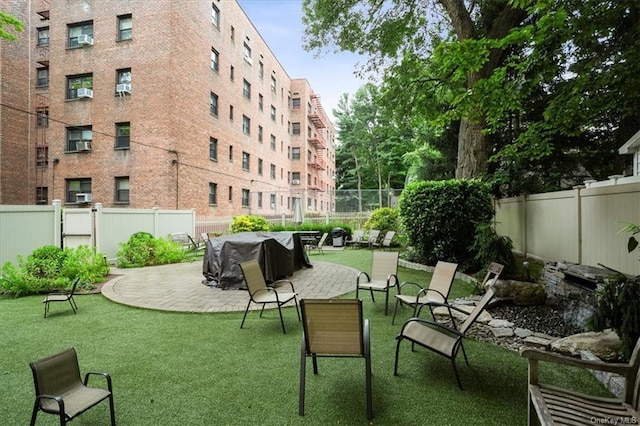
(619, 308)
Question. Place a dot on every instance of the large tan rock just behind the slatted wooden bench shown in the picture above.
(604, 344)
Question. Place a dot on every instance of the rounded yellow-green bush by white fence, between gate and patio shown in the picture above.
(143, 249)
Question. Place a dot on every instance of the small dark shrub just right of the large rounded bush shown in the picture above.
(491, 247)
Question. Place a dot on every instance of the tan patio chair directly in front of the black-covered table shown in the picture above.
(261, 294)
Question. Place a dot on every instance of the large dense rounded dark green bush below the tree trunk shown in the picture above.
(439, 219)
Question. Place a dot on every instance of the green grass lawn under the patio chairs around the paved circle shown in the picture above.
(201, 369)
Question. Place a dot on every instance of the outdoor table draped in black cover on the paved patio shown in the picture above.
(278, 253)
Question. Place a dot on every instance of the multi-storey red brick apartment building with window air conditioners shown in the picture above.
(143, 103)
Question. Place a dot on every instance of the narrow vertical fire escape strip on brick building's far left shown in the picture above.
(41, 56)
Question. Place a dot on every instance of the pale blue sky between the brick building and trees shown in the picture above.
(279, 22)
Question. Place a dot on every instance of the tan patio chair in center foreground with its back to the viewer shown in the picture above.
(334, 328)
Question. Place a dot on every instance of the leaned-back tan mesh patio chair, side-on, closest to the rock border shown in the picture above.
(441, 338)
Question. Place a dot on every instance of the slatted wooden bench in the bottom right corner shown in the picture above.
(550, 405)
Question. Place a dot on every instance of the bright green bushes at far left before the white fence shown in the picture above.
(50, 268)
